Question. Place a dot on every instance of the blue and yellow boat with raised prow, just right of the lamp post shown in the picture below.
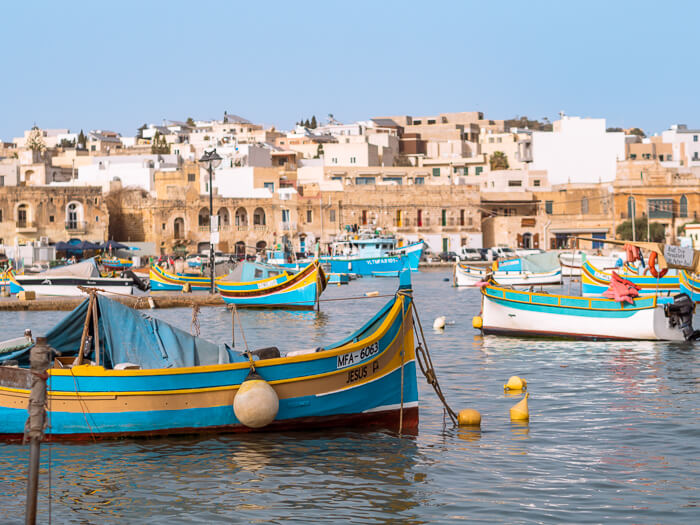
(283, 290)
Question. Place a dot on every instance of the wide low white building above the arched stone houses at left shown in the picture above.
(131, 170)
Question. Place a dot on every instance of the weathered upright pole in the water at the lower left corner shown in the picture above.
(39, 360)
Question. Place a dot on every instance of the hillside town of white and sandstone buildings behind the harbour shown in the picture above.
(453, 180)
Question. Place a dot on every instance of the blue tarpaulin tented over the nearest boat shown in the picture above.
(129, 336)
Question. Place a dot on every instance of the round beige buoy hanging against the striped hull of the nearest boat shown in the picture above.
(256, 402)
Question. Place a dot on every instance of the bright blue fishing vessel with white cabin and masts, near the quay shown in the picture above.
(367, 254)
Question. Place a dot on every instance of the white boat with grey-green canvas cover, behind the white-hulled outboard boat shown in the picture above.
(534, 269)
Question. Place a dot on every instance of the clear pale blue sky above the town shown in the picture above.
(116, 65)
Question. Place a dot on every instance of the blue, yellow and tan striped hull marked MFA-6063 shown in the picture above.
(357, 382)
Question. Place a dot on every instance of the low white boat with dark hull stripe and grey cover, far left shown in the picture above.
(68, 280)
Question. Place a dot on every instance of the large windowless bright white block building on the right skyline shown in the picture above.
(578, 150)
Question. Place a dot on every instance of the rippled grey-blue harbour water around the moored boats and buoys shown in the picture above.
(613, 436)
